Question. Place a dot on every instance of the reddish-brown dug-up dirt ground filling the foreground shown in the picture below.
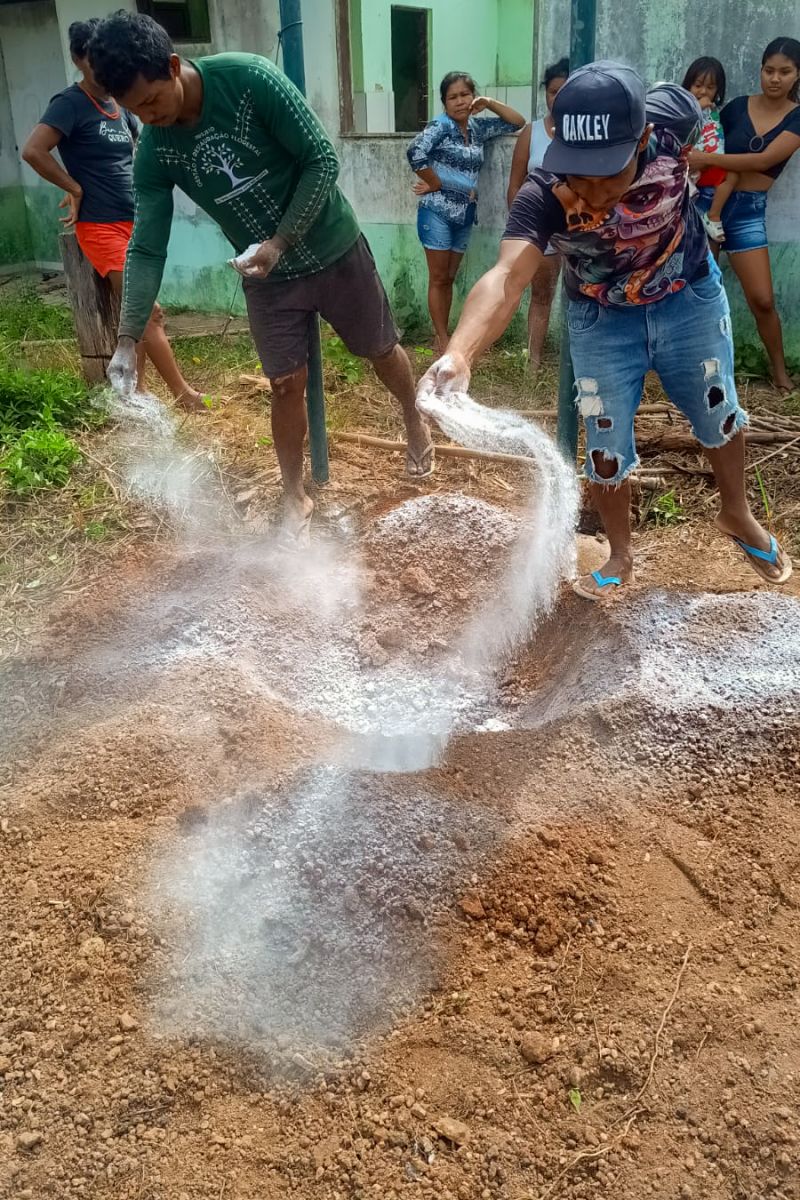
(569, 953)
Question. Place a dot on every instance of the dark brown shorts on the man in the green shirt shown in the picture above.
(348, 295)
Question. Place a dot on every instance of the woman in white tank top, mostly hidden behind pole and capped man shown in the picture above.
(528, 155)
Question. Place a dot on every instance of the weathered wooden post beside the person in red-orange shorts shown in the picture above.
(95, 310)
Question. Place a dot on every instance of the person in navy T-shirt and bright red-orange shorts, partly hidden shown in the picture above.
(95, 141)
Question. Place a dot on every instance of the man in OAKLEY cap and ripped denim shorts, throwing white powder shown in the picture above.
(643, 295)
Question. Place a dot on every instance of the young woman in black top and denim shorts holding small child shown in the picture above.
(761, 135)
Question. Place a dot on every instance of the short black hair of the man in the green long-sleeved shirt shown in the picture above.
(125, 46)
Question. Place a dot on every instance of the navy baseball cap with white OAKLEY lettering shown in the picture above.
(599, 118)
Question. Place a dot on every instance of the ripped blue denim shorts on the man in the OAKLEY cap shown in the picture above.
(685, 339)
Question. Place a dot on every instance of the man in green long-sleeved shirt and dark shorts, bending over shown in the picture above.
(239, 139)
